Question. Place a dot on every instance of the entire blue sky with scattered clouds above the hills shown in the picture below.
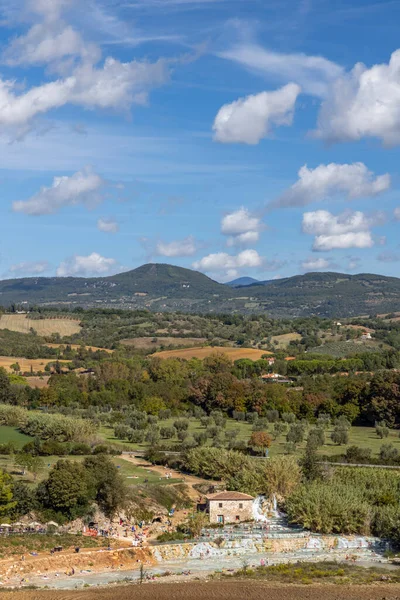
(237, 137)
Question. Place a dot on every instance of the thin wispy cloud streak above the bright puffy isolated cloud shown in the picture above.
(313, 73)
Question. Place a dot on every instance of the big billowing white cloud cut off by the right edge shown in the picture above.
(364, 103)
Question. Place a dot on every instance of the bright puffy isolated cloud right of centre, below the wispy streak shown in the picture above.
(249, 120)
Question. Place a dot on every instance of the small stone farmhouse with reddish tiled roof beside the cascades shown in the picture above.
(230, 507)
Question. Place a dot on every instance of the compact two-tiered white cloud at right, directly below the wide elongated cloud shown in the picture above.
(348, 230)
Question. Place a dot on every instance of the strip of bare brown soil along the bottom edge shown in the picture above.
(235, 590)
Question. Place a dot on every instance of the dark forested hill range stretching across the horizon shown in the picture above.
(161, 287)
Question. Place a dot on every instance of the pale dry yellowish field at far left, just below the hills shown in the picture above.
(43, 327)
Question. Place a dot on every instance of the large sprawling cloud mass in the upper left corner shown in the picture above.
(84, 80)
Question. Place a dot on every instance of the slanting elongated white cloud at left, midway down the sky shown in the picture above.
(84, 187)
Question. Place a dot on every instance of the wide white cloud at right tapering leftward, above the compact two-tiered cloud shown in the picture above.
(325, 181)
